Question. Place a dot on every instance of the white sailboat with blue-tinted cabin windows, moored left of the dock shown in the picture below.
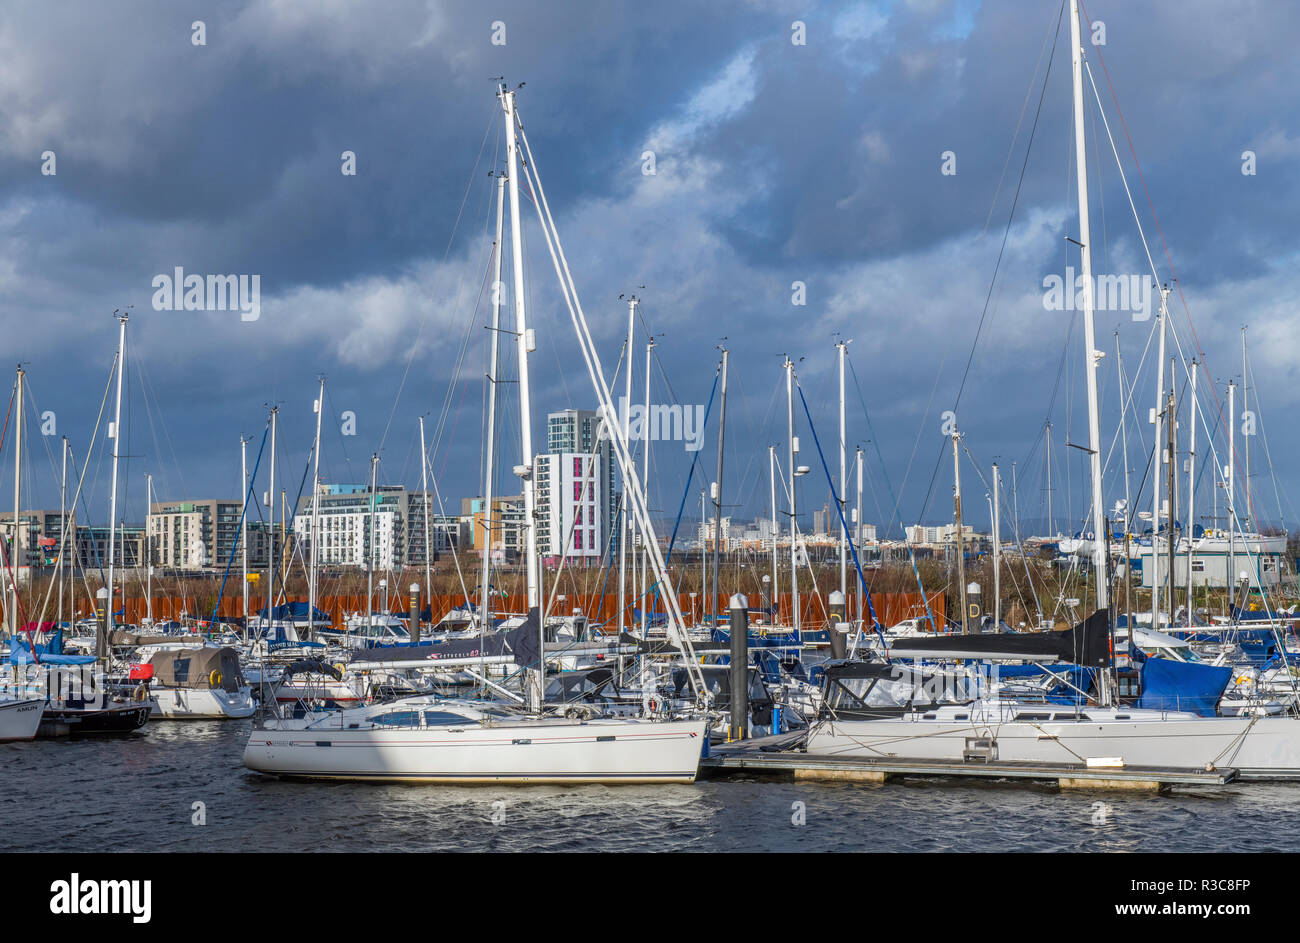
(432, 739)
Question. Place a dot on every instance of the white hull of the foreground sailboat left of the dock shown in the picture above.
(510, 751)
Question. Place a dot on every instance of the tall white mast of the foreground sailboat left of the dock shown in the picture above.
(526, 406)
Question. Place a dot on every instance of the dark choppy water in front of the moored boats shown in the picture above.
(138, 794)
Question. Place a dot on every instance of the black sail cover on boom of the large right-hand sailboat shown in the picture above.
(1087, 644)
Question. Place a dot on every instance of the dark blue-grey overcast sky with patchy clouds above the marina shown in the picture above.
(775, 162)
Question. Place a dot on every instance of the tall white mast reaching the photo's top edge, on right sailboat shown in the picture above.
(1100, 546)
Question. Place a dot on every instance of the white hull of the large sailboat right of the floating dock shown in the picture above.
(1259, 749)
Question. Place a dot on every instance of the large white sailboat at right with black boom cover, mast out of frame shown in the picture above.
(876, 711)
